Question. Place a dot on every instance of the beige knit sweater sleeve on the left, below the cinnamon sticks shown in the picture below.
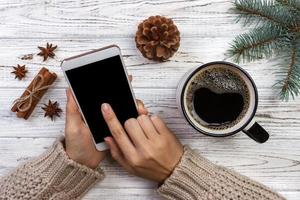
(53, 175)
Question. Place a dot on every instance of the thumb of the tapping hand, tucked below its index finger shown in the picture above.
(116, 152)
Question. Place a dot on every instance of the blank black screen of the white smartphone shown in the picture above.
(104, 81)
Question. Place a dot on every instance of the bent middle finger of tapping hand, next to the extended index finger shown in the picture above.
(135, 132)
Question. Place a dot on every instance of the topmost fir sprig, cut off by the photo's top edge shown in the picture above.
(263, 12)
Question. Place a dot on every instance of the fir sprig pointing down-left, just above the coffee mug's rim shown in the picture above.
(259, 43)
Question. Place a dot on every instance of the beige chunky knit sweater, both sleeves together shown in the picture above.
(54, 176)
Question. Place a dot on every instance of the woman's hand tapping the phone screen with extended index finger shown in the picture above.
(144, 147)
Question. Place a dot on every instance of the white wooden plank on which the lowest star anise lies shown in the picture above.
(281, 119)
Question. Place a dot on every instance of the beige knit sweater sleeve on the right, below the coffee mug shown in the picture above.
(197, 178)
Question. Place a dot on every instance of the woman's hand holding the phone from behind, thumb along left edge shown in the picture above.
(80, 146)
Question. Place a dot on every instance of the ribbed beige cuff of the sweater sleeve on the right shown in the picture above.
(185, 181)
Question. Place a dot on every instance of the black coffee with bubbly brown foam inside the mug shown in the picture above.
(217, 97)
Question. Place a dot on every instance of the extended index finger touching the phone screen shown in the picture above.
(116, 129)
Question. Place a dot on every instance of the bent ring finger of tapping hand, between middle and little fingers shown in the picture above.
(148, 127)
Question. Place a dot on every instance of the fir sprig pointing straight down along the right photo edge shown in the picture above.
(290, 84)
